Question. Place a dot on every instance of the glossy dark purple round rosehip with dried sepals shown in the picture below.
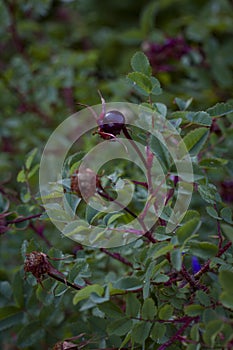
(112, 123)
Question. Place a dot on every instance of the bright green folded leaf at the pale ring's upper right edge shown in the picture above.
(195, 140)
